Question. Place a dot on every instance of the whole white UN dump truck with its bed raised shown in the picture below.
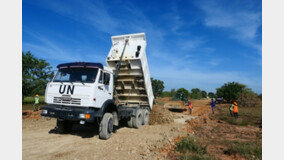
(89, 93)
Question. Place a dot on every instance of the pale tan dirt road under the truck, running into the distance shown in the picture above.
(40, 141)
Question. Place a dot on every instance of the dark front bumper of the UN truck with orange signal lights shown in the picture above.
(68, 112)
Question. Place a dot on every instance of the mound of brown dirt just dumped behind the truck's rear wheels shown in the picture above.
(160, 115)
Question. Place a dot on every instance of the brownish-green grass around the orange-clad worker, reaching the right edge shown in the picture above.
(247, 116)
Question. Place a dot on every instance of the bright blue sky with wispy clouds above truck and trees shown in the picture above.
(191, 44)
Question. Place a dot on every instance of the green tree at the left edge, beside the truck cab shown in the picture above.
(35, 74)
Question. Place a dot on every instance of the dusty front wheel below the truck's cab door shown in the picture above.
(106, 126)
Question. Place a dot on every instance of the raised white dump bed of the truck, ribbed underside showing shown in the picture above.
(133, 85)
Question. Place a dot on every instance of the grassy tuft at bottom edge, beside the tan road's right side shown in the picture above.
(192, 150)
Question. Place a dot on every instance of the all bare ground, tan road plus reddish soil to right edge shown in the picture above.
(169, 122)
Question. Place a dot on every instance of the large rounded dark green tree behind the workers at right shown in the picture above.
(230, 91)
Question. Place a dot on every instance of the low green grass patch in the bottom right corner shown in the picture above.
(250, 150)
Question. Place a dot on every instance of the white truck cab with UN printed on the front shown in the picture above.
(80, 84)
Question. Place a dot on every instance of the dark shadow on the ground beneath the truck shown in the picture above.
(85, 131)
